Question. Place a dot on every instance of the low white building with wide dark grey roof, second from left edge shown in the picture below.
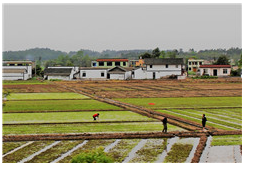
(61, 73)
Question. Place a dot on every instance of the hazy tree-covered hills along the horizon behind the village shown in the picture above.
(49, 54)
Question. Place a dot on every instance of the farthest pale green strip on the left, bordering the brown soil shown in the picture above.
(40, 96)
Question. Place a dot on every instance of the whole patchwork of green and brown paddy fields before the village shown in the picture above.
(39, 108)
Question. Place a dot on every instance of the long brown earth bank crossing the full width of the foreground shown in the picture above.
(95, 136)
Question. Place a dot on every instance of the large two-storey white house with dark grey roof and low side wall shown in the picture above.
(158, 68)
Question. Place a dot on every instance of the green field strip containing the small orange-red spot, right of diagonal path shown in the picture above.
(185, 102)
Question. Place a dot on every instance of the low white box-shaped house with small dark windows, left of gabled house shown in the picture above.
(93, 73)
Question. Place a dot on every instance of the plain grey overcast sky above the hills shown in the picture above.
(71, 27)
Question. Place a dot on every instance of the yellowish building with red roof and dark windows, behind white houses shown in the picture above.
(110, 63)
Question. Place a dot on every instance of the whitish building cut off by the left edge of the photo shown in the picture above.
(17, 70)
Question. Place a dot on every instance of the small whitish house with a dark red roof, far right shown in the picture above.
(215, 70)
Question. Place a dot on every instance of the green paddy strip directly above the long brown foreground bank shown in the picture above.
(86, 128)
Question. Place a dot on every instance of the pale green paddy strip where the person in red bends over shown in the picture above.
(61, 117)
